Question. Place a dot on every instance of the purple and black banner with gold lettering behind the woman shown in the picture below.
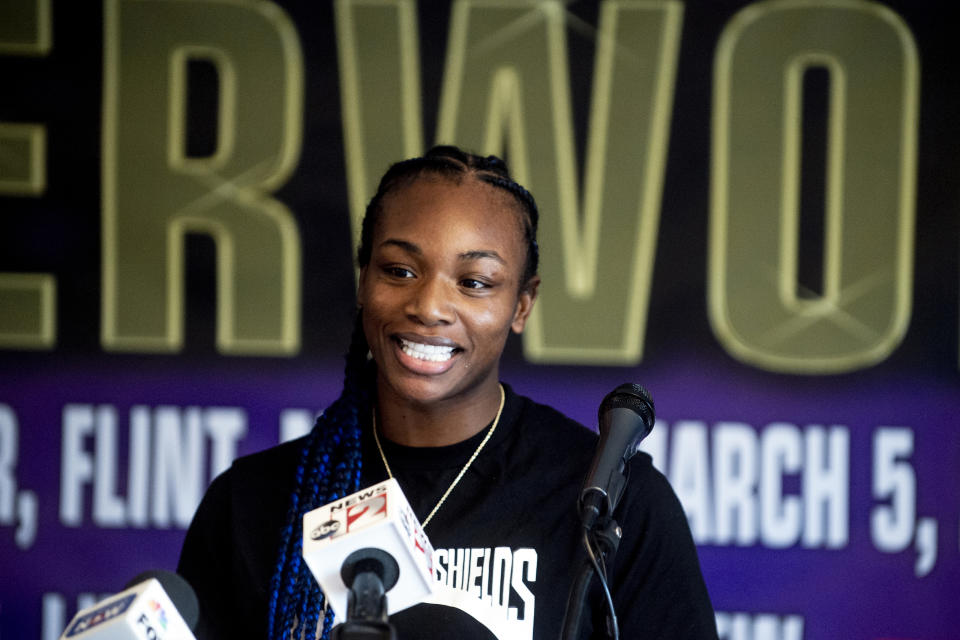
(795, 271)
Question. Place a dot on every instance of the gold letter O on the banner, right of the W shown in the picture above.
(864, 308)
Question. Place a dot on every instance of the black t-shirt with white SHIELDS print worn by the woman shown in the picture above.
(507, 539)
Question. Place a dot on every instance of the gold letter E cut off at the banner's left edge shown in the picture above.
(27, 300)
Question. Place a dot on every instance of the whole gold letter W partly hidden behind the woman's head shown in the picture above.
(517, 102)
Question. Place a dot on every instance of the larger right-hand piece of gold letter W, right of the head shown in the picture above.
(517, 101)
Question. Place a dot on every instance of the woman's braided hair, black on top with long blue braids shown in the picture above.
(330, 462)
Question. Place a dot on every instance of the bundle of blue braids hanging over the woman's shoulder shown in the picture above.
(329, 468)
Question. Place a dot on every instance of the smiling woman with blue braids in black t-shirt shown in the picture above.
(448, 269)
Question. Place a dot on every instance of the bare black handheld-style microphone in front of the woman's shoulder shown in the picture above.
(626, 416)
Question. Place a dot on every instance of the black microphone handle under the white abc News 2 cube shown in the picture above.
(369, 573)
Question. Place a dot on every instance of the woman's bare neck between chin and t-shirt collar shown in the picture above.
(436, 424)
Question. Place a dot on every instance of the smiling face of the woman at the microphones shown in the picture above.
(442, 290)
